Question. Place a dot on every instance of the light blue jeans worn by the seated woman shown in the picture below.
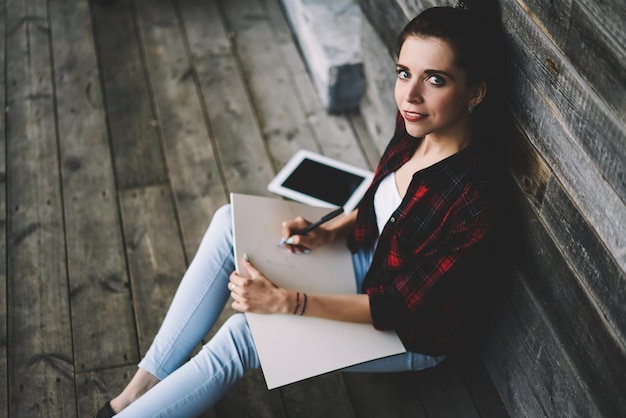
(189, 388)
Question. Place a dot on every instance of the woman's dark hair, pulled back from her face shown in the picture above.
(473, 29)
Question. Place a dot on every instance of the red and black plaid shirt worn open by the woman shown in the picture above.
(425, 276)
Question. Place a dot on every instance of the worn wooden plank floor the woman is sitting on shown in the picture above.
(126, 126)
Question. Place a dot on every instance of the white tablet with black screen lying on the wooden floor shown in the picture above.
(317, 180)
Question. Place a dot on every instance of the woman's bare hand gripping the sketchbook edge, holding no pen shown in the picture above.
(256, 293)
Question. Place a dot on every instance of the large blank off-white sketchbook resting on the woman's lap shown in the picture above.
(293, 348)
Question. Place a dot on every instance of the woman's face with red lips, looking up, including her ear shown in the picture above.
(431, 91)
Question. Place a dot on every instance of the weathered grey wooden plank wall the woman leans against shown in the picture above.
(558, 342)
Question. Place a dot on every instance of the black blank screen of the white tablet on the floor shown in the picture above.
(323, 182)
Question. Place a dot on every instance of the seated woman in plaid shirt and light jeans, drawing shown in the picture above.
(420, 237)
